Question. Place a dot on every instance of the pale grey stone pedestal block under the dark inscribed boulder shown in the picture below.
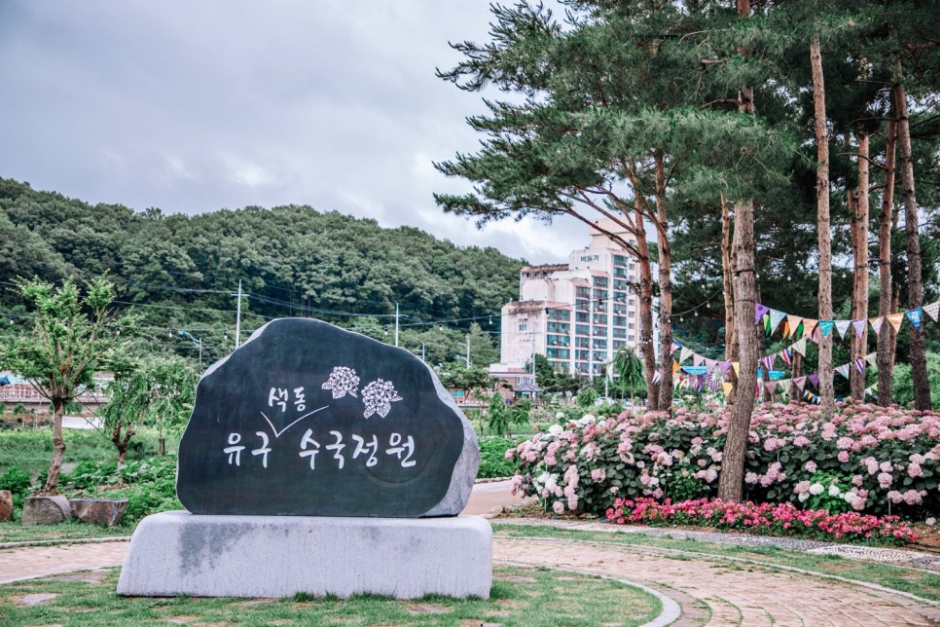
(177, 553)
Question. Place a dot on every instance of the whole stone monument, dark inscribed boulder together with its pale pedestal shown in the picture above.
(318, 460)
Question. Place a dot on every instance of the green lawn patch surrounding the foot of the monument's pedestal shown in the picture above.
(520, 597)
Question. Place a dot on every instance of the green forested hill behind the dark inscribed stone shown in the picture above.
(178, 271)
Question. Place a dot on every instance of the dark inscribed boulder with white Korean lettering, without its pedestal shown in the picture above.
(308, 419)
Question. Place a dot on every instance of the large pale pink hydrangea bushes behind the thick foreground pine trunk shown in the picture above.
(881, 460)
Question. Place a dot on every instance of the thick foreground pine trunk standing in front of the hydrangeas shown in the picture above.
(731, 480)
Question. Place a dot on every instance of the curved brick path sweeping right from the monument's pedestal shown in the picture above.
(718, 592)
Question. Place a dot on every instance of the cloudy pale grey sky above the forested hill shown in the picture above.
(194, 106)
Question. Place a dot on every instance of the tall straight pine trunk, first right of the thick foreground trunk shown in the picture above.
(826, 392)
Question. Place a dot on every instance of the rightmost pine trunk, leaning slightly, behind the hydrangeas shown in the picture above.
(915, 287)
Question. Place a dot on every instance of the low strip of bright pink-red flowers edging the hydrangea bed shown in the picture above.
(780, 520)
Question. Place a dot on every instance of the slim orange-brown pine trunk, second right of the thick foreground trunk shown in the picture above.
(860, 282)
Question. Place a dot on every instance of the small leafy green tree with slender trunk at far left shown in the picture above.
(73, 337)
